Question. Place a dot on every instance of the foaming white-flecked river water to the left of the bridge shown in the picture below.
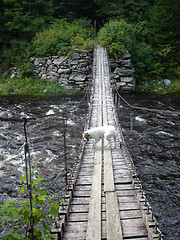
(46, 142)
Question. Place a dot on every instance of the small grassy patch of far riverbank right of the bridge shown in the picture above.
(159, 87)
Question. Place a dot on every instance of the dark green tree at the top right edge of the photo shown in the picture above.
(164, 34)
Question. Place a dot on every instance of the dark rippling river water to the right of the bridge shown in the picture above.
(154, 145)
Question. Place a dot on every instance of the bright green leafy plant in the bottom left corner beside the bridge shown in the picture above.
(15, 215)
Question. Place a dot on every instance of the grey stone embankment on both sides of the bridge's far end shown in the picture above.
(77, 72)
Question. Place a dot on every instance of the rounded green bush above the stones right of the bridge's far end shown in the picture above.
(120, 36)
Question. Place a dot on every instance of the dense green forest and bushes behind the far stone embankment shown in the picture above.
(148, 29)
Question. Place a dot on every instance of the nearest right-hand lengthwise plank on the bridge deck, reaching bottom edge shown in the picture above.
(113, 223)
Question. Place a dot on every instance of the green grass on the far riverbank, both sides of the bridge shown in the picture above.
(36, 87)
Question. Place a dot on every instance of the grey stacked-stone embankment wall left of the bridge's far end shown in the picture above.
(75, 72)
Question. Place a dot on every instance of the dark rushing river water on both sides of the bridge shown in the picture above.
(154, 145)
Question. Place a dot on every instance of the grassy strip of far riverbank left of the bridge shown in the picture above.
(33, 86)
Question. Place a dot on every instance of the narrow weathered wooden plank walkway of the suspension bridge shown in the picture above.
(106, 200)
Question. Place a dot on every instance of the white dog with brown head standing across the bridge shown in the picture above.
(98, 133)
